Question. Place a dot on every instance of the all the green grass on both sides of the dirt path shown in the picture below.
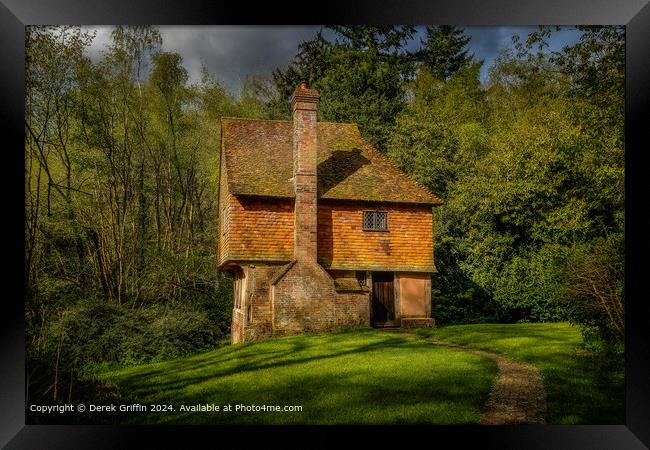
(372, 377)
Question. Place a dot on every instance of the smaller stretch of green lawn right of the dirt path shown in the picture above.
(581, 388)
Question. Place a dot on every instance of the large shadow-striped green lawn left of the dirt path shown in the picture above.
(365, 376)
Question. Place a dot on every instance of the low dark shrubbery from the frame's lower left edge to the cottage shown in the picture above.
(93, 335)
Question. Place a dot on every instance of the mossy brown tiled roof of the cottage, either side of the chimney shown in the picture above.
(258, 158)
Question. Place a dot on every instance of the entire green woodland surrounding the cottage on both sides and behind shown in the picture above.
(121, 179)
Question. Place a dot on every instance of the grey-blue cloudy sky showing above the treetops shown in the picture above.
(233, 52)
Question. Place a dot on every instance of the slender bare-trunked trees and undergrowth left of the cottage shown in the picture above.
(120, 204)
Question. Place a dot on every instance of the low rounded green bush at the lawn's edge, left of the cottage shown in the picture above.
(95, 332)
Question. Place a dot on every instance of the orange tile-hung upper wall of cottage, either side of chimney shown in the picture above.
(262, 229)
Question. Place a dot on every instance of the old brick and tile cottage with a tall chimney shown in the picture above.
(319, 230)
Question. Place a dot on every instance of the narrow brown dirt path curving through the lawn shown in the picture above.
(518, 395)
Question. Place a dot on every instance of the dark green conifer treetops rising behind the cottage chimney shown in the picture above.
(362, 73)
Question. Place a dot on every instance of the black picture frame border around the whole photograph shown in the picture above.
(635, 14)
